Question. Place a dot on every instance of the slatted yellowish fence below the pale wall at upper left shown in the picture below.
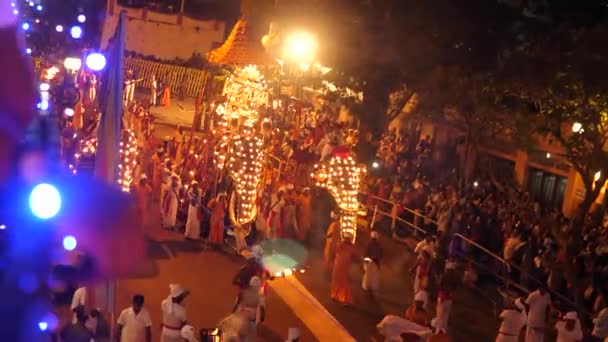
(174, 74)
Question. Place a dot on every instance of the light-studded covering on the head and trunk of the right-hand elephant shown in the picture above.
(342, 178)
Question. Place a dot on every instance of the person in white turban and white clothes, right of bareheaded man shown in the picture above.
(174, 314)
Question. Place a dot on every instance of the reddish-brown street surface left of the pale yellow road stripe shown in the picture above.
(208, 274)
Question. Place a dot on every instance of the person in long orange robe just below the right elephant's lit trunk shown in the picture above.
(340, 280)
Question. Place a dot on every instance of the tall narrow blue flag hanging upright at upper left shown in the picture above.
(111, 105)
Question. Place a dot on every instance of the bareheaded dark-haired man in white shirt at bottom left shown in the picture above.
(134, 323)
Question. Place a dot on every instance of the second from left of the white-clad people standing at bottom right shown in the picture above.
(539, 302)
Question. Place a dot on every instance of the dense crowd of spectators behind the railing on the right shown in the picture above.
(492, 217)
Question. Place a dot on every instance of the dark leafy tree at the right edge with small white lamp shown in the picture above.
(562, 77)
